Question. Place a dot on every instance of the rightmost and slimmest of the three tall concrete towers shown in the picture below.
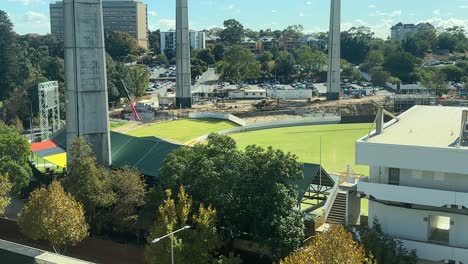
(334, 52)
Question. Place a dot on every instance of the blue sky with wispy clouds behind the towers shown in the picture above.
(32, 16)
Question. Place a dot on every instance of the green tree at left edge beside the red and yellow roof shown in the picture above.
(14, 154)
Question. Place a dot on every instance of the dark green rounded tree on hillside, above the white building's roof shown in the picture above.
(401, 65)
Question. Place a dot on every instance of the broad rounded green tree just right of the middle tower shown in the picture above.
(239, 64)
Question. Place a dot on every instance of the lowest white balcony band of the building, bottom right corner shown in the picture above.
(436, 252)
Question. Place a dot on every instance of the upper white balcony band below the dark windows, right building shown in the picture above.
(412, 195)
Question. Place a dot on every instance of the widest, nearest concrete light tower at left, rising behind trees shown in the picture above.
(85, 73)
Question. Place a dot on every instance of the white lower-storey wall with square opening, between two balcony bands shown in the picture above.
(413, 224)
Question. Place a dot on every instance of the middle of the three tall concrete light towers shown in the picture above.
(183, 71)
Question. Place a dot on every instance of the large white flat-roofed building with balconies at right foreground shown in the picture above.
(418, 183)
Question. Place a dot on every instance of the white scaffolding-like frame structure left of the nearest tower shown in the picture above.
(49, 103)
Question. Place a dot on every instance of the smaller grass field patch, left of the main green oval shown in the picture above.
(182, 130)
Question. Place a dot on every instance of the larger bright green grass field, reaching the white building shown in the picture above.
(338, 143)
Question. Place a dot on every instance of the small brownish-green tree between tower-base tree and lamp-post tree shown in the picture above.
(129, 190)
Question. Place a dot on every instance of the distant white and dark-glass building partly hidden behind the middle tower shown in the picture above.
(168, 41)
